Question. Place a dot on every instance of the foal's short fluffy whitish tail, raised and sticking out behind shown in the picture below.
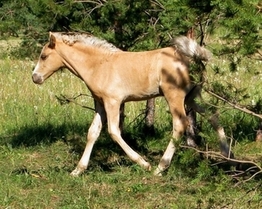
(191, 48)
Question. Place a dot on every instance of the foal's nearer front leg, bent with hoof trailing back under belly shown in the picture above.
(112, 112)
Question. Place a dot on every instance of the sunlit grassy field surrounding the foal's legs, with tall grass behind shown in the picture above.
(41, 141)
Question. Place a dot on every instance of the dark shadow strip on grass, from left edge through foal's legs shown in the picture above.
(106, 154)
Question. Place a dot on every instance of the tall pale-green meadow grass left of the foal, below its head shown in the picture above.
(24, 108)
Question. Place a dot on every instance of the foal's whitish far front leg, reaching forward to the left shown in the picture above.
(92, 135)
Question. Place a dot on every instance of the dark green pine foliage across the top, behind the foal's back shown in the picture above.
(134, 25)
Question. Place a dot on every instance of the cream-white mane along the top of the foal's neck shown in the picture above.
(85, 38)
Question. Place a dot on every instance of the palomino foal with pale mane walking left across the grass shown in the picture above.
(115, 77)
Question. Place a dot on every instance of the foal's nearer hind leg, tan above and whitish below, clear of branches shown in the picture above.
(180, 122)
